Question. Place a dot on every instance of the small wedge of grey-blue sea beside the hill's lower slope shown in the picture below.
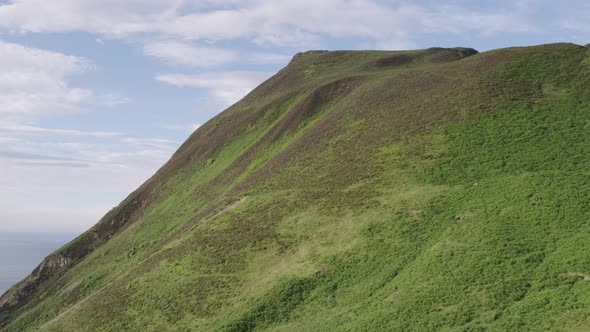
(20, 253)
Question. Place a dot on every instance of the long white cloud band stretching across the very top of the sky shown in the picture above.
(298, 24)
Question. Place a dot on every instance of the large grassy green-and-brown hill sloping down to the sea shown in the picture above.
(437, 189)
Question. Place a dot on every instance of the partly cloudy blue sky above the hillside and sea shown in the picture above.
(95, 95)
